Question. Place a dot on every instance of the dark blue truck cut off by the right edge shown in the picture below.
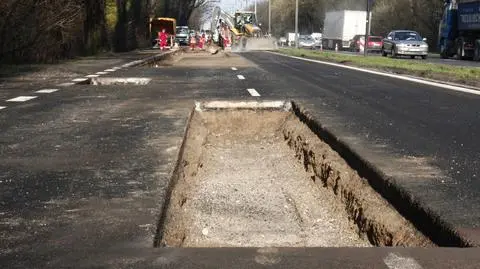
(459, 31)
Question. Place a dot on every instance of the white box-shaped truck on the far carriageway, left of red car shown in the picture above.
(340, 27)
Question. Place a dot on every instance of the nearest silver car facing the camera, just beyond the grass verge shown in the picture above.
(405, 43)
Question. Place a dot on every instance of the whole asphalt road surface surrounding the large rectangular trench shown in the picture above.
(84, 169)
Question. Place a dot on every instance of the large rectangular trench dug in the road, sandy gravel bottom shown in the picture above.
(257, 176)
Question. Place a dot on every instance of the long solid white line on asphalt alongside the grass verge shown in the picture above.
(417, 80)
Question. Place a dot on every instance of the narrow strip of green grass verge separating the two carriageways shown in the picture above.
(448, 73)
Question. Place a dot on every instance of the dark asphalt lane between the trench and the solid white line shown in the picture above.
(427, 127)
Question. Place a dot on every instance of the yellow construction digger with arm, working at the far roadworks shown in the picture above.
(244, 30)
